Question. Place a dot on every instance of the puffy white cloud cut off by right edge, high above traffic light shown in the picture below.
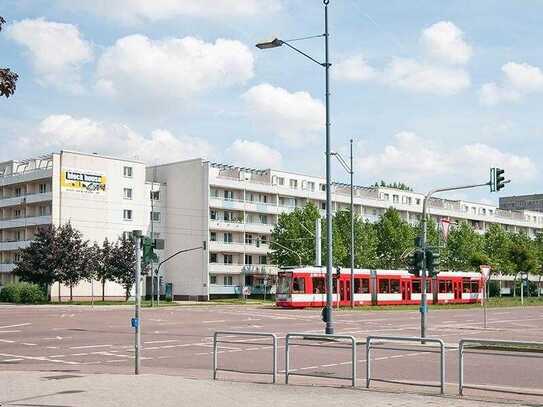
(520, 80)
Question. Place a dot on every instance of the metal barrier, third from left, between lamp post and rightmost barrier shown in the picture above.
(405, 339)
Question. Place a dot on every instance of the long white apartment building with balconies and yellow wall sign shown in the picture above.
(189, 202)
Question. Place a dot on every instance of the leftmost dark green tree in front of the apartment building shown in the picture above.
(38, 263)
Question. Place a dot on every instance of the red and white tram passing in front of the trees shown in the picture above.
(305, 287)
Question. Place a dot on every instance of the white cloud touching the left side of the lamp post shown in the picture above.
(297, 118)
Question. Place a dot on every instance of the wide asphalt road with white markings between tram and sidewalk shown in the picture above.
(178, 341)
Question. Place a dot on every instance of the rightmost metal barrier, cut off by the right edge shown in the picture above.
(513, 346)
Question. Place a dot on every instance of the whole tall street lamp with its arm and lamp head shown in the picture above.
(327, 312)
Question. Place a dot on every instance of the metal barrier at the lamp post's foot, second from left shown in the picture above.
(308, 336)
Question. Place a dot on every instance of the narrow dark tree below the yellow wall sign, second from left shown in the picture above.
(71, 249)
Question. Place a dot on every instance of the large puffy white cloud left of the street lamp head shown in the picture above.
(137, 68)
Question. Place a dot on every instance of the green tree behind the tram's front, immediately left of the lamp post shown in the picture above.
(293, 235)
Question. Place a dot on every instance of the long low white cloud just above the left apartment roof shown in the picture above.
(63, 131)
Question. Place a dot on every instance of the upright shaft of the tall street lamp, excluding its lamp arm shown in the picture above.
(329, 321)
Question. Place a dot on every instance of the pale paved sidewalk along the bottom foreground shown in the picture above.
(64, 389)
